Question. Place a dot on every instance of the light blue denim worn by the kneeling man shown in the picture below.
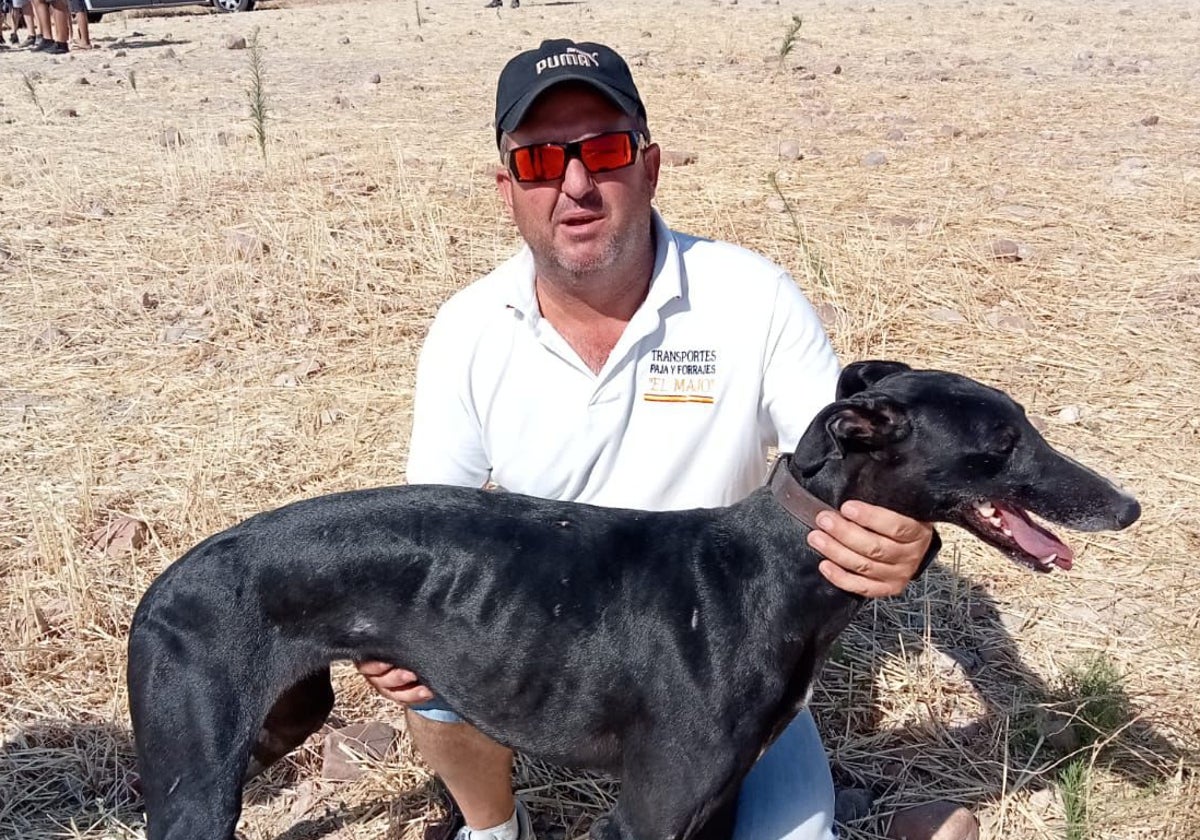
(787, 796)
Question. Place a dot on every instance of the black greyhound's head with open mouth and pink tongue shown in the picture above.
(944, 448)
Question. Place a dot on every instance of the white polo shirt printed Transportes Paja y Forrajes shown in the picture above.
(724, 359)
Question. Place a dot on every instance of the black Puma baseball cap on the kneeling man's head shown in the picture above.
(530, 75)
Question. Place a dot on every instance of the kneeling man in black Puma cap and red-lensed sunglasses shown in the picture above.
(619, 363)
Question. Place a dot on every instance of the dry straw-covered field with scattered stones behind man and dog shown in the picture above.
(193, 332)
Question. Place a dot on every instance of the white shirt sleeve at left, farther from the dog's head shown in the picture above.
(447, 446)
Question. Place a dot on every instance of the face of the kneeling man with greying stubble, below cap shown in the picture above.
(581, 224)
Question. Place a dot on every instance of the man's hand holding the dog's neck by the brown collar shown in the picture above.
(871, 551)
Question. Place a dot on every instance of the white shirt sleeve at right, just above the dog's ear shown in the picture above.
(800, 371)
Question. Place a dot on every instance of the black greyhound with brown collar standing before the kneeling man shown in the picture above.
(667, 649)
